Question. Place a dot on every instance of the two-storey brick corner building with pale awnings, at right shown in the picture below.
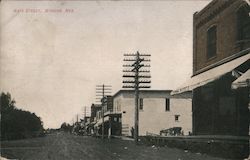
(221, 46)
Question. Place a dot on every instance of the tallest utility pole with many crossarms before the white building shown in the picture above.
(139, 76)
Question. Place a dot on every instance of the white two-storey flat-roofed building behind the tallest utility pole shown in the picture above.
(157, 111)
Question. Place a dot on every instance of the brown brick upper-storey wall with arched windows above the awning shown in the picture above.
(220, 33)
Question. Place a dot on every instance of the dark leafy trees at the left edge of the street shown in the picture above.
(16, 123)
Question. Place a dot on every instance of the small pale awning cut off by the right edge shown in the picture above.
(242, 81)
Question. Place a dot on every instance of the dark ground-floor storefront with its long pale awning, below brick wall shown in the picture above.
(217, 108)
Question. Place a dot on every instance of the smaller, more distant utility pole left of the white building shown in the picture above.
(102, 91)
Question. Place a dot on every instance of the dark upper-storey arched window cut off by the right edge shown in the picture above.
(243, 23)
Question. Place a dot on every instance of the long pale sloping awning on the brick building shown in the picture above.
(210, 75)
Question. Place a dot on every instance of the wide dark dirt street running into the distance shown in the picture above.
(63, 146)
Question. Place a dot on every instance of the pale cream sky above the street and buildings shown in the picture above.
(54, 53)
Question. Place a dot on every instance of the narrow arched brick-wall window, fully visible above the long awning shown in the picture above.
(211, 42)
